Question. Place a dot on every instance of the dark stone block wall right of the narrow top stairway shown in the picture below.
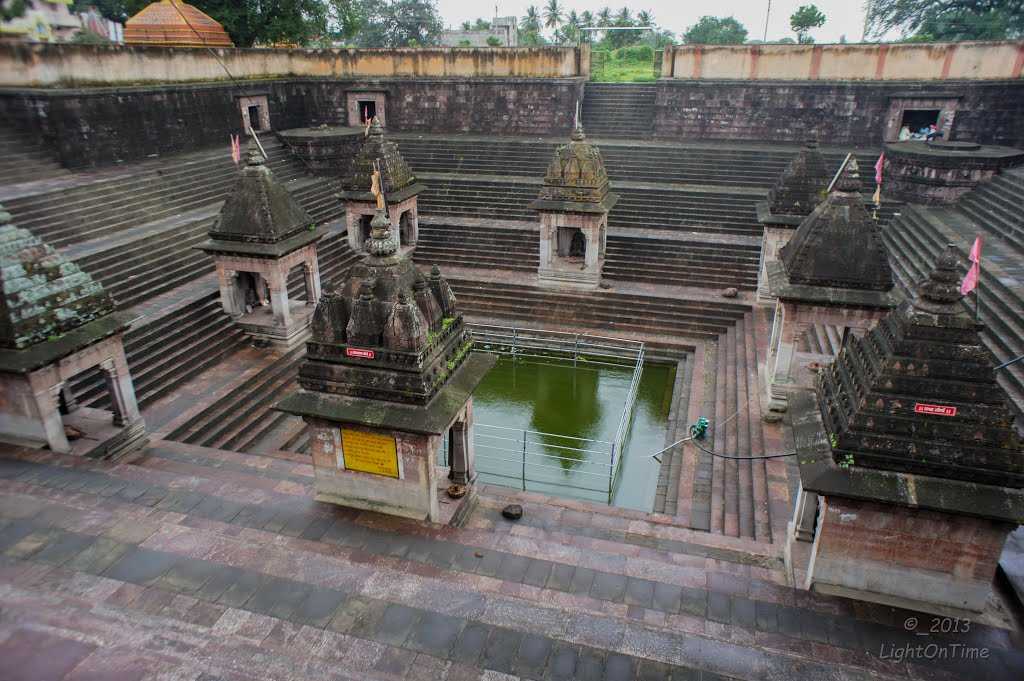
(835, 113)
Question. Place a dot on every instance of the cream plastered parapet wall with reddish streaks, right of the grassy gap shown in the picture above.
(918, 62)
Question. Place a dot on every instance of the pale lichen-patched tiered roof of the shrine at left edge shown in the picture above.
(44, 295)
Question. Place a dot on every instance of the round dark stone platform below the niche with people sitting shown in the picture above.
(941, 173)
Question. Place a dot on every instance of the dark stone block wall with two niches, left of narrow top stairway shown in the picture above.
(91, 127)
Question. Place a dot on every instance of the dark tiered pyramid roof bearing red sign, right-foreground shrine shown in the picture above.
(919, 395)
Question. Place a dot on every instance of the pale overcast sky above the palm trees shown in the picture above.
(842, 17)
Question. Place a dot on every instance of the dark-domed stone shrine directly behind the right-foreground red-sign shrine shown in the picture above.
(835, 271)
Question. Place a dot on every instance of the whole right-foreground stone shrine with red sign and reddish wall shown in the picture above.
(911, 446)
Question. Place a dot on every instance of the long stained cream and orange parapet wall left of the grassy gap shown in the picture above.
(25, 65)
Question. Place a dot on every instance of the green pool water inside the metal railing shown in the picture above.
(563, 419)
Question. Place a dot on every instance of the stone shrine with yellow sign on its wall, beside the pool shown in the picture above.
(390, 372)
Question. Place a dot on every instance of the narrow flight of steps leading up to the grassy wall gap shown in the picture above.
(619, 110)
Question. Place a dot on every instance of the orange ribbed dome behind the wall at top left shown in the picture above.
(176, 24)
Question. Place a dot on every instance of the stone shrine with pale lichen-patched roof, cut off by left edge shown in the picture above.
(57, 323)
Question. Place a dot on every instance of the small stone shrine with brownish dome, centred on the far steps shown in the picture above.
(574, 205)
